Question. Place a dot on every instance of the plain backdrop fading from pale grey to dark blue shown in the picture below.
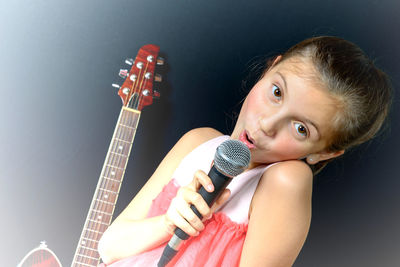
(58, 111)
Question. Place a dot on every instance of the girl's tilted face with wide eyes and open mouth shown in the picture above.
(286, 115)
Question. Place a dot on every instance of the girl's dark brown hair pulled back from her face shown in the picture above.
(363, 90)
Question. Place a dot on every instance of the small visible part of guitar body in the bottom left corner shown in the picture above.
(40, 257)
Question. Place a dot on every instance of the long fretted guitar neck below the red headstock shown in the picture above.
(107, 190)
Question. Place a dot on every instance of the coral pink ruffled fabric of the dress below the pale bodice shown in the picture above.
(218, 245)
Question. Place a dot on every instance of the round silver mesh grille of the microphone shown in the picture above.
(232, 157)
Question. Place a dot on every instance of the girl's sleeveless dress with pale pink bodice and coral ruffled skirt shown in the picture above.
(221, 242)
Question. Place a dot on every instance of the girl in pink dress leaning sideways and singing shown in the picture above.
(320, 98)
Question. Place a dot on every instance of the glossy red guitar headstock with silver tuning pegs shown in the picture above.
(137, 91)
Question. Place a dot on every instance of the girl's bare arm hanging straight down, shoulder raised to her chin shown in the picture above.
(280, 216)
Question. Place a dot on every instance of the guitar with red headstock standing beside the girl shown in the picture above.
(136, 92)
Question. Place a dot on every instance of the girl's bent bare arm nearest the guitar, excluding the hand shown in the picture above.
(131, 232)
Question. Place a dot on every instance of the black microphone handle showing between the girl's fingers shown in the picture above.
(220, 182)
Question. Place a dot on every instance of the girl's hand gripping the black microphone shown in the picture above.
(179, 213)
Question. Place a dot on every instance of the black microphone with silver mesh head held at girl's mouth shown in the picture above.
(231, 158)
